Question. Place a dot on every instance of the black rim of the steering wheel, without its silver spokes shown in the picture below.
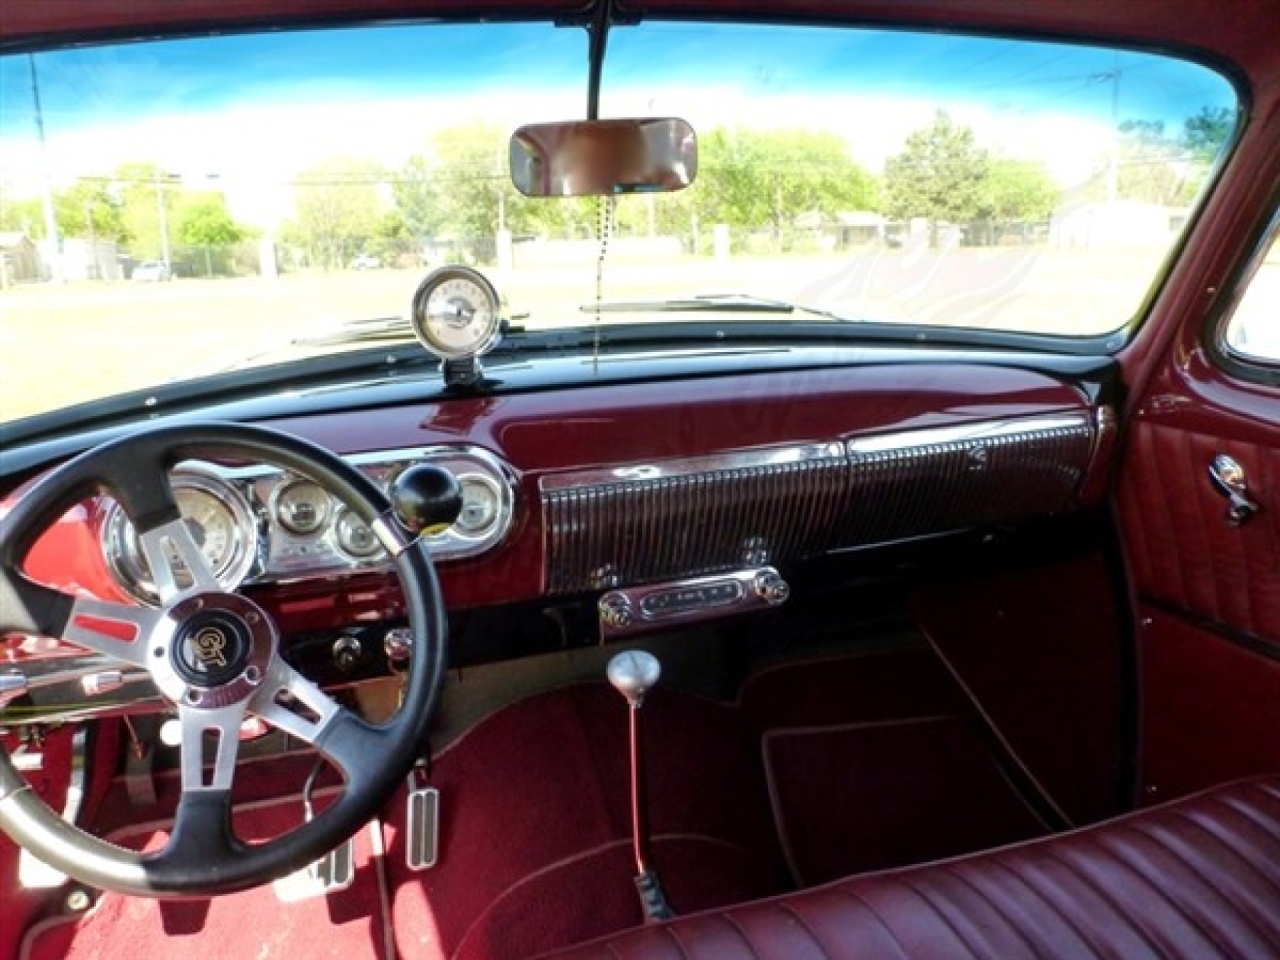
(376, 760)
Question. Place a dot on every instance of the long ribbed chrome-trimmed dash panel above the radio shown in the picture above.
(676, 519)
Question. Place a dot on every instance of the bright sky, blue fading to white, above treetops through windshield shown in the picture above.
(255, 112)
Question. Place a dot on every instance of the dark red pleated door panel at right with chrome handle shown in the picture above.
(1208, 593)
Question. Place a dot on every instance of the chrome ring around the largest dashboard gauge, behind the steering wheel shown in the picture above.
(122, 550)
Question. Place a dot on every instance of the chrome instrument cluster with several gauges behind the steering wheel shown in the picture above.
(266, 525)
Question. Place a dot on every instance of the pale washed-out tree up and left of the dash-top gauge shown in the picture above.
(337, 209)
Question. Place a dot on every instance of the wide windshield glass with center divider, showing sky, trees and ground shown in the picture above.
(172, 209)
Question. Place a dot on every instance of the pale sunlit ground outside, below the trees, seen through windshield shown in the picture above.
(62, 345)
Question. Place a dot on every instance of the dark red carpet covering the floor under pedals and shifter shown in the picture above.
(536, 822)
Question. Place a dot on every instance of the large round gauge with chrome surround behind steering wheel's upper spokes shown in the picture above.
(221, 520)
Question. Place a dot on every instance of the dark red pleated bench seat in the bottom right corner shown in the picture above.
(1195, 879)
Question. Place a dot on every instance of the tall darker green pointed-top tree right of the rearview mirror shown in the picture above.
(941, 175)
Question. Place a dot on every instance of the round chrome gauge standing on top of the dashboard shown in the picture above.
(456, 313)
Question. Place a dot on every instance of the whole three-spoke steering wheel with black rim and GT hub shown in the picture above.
(216, 655)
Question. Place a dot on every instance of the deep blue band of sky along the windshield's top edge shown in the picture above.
(344, 65)
